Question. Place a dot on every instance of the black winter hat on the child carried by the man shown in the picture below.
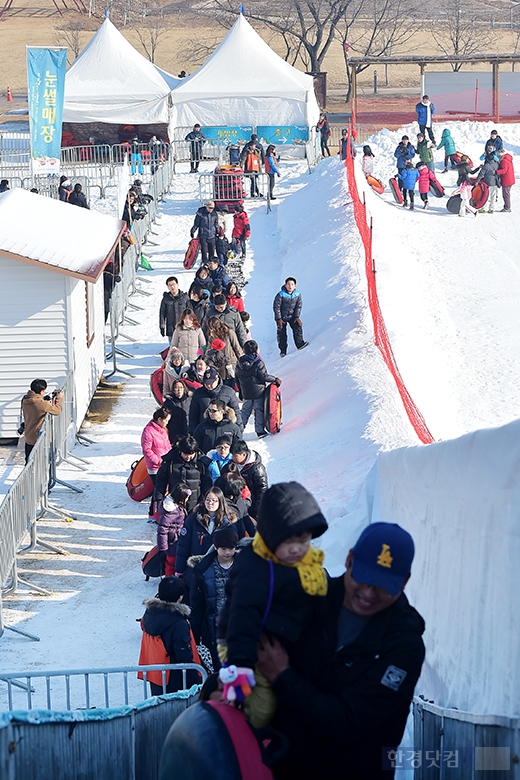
(288, 509)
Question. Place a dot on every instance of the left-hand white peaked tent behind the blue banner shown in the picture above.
(111, 82)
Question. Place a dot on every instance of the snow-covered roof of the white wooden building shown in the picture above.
(56, 235)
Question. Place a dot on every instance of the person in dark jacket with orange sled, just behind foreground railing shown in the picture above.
(166, 637)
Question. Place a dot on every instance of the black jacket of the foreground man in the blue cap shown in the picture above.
(339, 710)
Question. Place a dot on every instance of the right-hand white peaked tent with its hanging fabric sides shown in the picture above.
(244, 82)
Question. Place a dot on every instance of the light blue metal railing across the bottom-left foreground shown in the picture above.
(86, 688)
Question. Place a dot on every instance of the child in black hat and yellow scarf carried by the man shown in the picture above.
(272, 588)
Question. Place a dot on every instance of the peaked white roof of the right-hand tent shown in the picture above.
(244, 65)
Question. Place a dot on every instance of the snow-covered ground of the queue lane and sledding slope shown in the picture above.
(449, 291)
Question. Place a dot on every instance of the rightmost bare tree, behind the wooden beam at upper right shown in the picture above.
(461, 32)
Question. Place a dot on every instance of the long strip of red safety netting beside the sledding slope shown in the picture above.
(380, 333)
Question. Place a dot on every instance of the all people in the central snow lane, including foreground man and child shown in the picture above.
(244, 592)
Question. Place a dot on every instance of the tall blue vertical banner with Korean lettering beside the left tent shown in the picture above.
(46, 86)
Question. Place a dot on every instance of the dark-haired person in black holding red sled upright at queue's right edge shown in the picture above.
(252, 378)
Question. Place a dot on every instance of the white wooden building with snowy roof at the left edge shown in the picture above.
(52, 256)
